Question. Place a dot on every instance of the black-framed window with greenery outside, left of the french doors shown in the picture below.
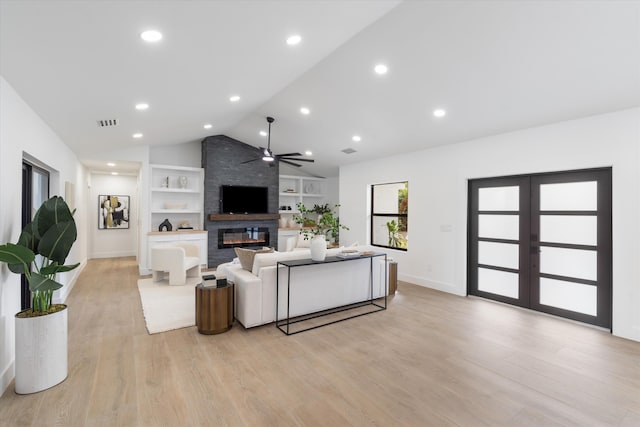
(390, 215)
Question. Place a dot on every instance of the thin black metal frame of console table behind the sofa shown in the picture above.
(282, 323)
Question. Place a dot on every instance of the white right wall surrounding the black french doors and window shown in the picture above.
(437, 255)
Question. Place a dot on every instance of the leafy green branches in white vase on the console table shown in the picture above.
(318, 224)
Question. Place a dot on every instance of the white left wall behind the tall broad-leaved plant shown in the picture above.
(23, 132)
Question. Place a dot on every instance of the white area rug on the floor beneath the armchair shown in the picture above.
(167, 307)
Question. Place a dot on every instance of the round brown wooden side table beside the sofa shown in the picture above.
(214, 308)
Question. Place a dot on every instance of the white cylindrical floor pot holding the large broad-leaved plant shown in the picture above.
(41, 351)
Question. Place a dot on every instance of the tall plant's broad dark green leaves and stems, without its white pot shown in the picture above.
(41, 251)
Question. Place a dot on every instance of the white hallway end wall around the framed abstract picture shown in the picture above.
(108, 243)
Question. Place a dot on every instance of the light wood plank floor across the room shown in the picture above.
(431, 359)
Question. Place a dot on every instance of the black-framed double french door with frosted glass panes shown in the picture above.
(543, 242)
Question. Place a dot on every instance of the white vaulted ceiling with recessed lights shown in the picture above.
(495, 66)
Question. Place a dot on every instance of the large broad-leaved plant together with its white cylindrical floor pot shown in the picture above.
(41, 331)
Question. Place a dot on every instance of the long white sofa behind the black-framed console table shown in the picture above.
(313, 288)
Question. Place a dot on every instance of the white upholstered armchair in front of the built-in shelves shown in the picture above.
(180, 260)
